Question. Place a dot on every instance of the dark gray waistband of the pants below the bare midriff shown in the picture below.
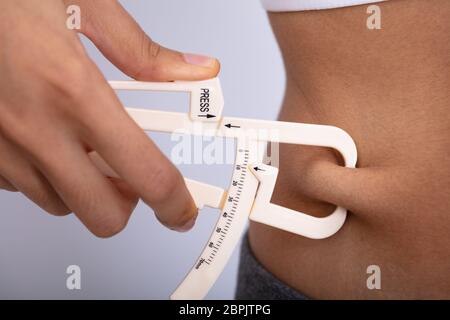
(255, 282)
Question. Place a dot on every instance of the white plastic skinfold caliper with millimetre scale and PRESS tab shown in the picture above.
(253, 182)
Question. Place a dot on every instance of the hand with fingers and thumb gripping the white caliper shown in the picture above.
(56, 110)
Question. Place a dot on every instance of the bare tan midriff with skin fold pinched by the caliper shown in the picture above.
(390, 90)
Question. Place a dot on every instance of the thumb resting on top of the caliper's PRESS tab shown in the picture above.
(122, 41)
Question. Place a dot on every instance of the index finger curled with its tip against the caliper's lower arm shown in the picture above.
(109, 130)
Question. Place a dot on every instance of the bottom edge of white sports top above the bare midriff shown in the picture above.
(300, 5)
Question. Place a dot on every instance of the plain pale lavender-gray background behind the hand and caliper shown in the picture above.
(147, 261)
